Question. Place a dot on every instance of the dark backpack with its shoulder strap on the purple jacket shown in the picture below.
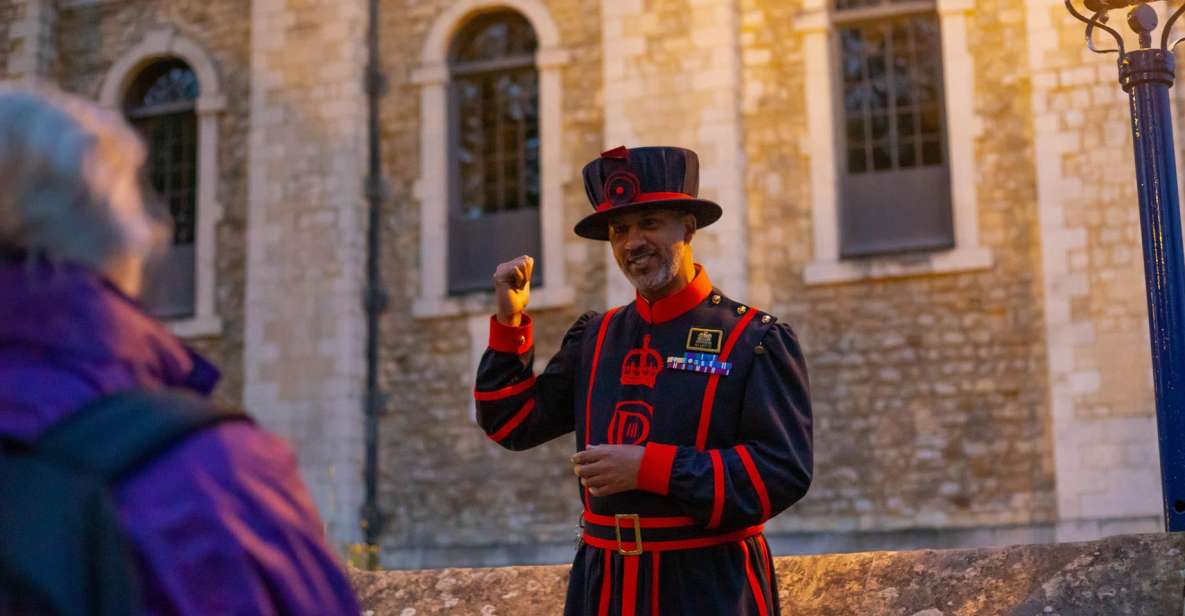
(56, 493)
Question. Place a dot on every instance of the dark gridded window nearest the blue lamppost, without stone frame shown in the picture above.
(895, 174)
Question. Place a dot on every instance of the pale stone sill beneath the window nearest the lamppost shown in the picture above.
(877, 268)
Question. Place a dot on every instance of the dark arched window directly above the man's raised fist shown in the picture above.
(495, 189)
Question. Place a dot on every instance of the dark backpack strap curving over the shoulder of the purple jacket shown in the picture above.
(116, 435)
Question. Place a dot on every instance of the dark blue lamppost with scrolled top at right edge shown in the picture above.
(1146, 74)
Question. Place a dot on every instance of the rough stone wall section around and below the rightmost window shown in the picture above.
(930, 392)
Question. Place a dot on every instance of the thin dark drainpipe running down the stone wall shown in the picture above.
(376, 296)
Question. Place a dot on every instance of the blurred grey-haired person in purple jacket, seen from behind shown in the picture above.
(220, 522)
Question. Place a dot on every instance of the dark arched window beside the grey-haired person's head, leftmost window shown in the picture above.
(162, 105)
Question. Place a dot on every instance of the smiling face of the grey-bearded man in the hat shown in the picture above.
(651, 246)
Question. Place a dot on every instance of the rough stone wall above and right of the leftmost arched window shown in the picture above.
(93, 37)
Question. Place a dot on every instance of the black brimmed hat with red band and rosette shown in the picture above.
(627, 181)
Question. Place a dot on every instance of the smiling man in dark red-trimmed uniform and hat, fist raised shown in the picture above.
(691, 410)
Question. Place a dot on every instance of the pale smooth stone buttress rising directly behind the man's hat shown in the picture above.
(672, 78)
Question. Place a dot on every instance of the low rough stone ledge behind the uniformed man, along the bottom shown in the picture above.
(1137, 575)
